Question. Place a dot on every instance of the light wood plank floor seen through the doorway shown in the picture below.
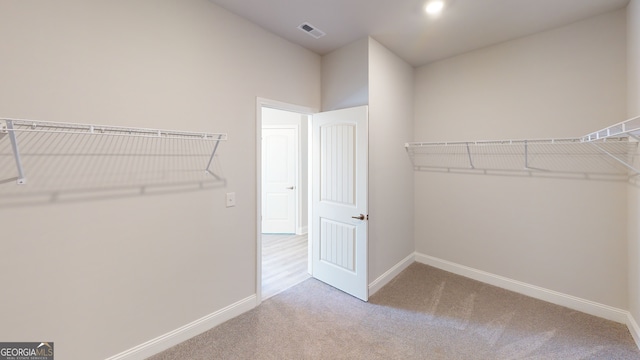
(284, 262)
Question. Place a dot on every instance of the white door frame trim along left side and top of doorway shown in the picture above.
(279, 105)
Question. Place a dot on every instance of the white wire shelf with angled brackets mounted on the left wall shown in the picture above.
(14, 128)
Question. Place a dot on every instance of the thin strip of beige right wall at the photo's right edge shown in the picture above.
(633, 106)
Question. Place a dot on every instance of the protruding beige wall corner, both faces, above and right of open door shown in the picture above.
(366, 73)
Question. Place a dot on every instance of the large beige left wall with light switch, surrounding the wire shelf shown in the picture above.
(99, 277)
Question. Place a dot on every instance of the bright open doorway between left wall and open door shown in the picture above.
(283, 193)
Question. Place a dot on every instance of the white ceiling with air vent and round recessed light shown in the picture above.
(404, 28)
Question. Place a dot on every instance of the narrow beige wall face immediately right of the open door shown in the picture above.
(390, 172)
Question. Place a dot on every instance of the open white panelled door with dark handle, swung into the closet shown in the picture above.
(339, 199)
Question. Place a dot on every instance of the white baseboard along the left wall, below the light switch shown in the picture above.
(186, 332)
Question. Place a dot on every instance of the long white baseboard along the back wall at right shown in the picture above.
(558, 298)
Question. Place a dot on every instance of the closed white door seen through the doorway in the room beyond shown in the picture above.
(279, 175)
